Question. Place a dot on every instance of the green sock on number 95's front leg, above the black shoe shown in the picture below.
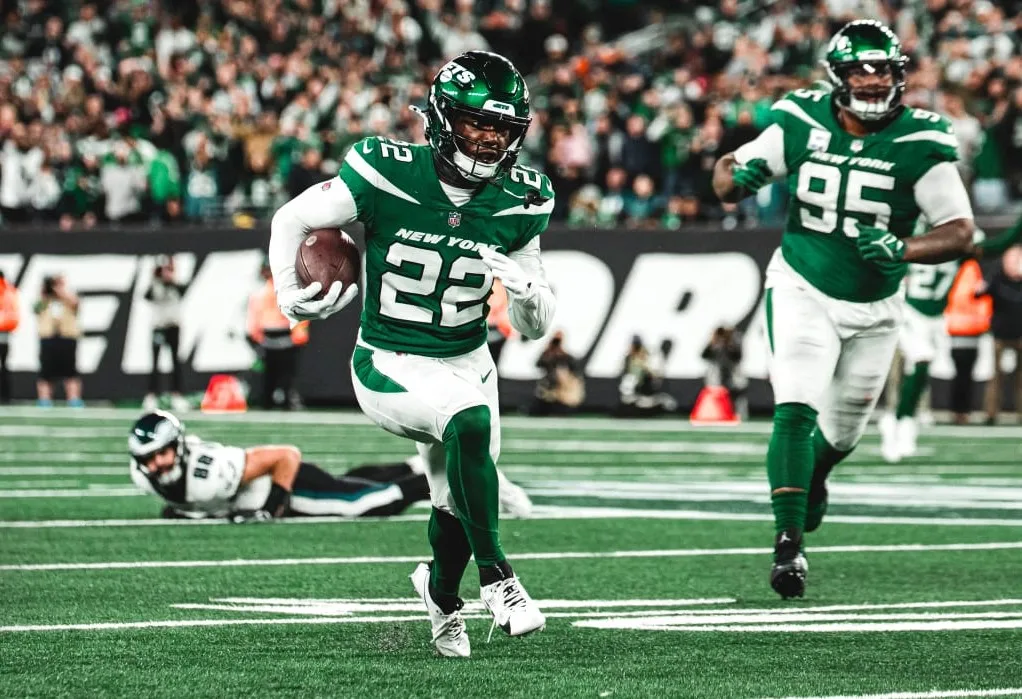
(789, 463)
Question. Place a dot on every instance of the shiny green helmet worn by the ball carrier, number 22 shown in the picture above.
(486, 88)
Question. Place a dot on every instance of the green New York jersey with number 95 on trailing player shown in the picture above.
(839, 181)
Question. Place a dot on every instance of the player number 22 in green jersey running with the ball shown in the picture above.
(442, 222)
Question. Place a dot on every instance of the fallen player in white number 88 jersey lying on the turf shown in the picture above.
(201, 480)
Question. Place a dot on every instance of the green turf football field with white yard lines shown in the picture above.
(648, 551)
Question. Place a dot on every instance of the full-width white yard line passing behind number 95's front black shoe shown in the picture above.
(565, 555)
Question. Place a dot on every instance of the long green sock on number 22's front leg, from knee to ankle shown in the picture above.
(473, 478)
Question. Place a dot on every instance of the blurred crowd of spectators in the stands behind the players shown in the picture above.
(140, 111)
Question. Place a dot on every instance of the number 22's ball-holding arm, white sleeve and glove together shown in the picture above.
(328, 205)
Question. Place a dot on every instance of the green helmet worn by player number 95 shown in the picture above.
(871, 46)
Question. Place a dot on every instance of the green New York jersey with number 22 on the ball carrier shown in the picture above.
(427, 288)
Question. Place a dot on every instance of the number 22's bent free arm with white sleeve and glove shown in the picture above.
(531, 301)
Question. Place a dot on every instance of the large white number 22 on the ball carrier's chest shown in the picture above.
(457, 307)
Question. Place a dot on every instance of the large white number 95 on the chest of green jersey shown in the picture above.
(820, 188)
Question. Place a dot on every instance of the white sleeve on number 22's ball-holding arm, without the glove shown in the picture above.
(318, 207)
